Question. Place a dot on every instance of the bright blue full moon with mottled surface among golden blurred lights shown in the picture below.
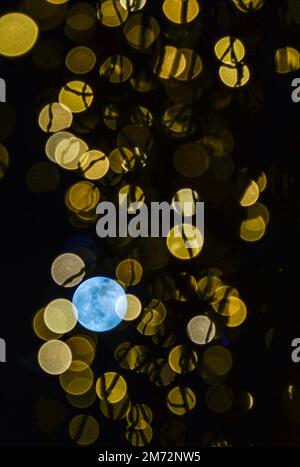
(101, 304)
